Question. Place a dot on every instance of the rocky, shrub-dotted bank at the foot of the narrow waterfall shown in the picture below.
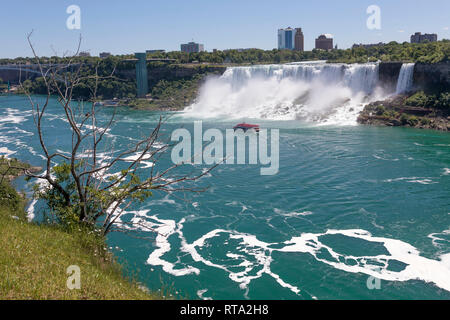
(403, 110)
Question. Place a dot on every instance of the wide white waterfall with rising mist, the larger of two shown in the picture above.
(315, 91)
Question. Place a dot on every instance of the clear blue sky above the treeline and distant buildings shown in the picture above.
(136, 25)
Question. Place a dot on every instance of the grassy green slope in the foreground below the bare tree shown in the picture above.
(34, 258)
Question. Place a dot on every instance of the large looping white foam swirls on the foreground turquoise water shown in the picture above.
(417, 266)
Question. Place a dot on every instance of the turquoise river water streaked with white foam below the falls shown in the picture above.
(348, 203)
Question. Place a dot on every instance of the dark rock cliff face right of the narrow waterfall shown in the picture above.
(432, 77)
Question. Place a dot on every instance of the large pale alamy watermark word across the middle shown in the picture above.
(235, 152)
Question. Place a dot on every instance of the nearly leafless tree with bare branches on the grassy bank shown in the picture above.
(77, 184)
